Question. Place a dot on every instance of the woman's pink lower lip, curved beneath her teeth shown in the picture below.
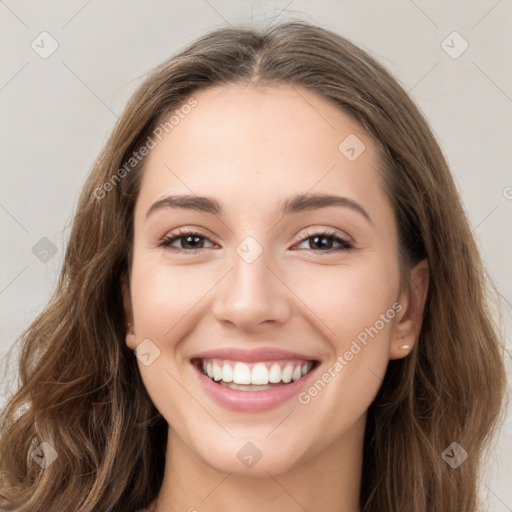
(251, 401)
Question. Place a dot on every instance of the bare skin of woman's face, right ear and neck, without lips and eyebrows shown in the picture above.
(251, 148)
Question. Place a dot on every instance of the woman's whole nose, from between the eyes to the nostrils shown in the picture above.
(250, 294)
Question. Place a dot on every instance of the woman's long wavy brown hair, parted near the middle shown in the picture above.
(81, 391)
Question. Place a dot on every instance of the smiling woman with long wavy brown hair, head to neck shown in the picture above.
(271, 297)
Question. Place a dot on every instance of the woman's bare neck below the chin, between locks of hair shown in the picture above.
(329, 481)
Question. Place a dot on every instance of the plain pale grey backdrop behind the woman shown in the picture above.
(58, 111)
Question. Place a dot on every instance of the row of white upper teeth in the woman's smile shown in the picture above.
(258, 373)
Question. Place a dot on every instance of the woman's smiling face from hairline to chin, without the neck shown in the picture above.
(293, 307)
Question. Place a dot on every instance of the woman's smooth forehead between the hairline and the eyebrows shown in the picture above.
(255, 145)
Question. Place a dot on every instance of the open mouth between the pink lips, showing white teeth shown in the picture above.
(258, 376)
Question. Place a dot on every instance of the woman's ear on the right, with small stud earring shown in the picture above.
(409, 319)
